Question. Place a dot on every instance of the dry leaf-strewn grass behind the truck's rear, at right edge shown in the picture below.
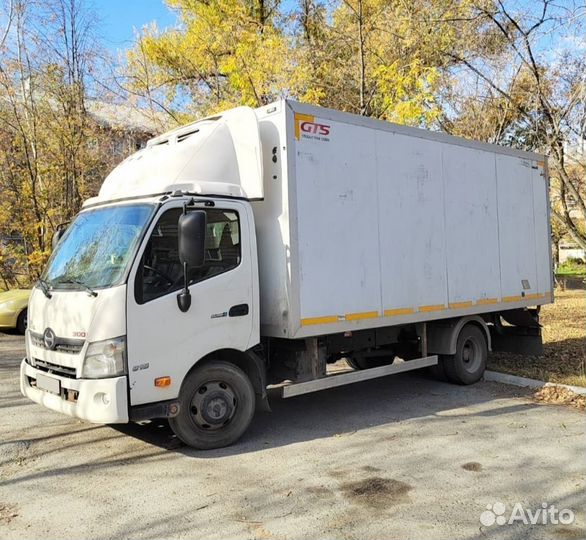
(564, 340)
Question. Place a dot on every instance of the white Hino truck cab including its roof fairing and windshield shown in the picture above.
(111, 338)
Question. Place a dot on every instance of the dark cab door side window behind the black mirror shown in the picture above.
(160, 271)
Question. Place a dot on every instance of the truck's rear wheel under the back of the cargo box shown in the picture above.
(468, 364)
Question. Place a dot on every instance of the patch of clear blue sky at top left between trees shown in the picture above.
(120, 18)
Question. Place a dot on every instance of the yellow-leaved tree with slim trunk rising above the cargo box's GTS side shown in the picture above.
(376, 58)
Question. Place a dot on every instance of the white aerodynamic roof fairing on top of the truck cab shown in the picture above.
(219, 155)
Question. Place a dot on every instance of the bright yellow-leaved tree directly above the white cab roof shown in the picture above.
(226, 53)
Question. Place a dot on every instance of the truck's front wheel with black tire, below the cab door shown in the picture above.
(217, 404)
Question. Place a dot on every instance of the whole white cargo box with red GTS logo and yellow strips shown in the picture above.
(367, 224)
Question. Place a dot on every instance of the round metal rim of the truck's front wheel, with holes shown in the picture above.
(213, 405)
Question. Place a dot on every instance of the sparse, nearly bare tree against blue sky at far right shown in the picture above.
(527, 95)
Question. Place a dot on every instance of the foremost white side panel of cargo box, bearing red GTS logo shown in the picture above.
(337, 221)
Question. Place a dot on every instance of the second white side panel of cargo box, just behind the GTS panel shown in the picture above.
(412, 229)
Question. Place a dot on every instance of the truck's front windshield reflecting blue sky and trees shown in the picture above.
(97, 247)
